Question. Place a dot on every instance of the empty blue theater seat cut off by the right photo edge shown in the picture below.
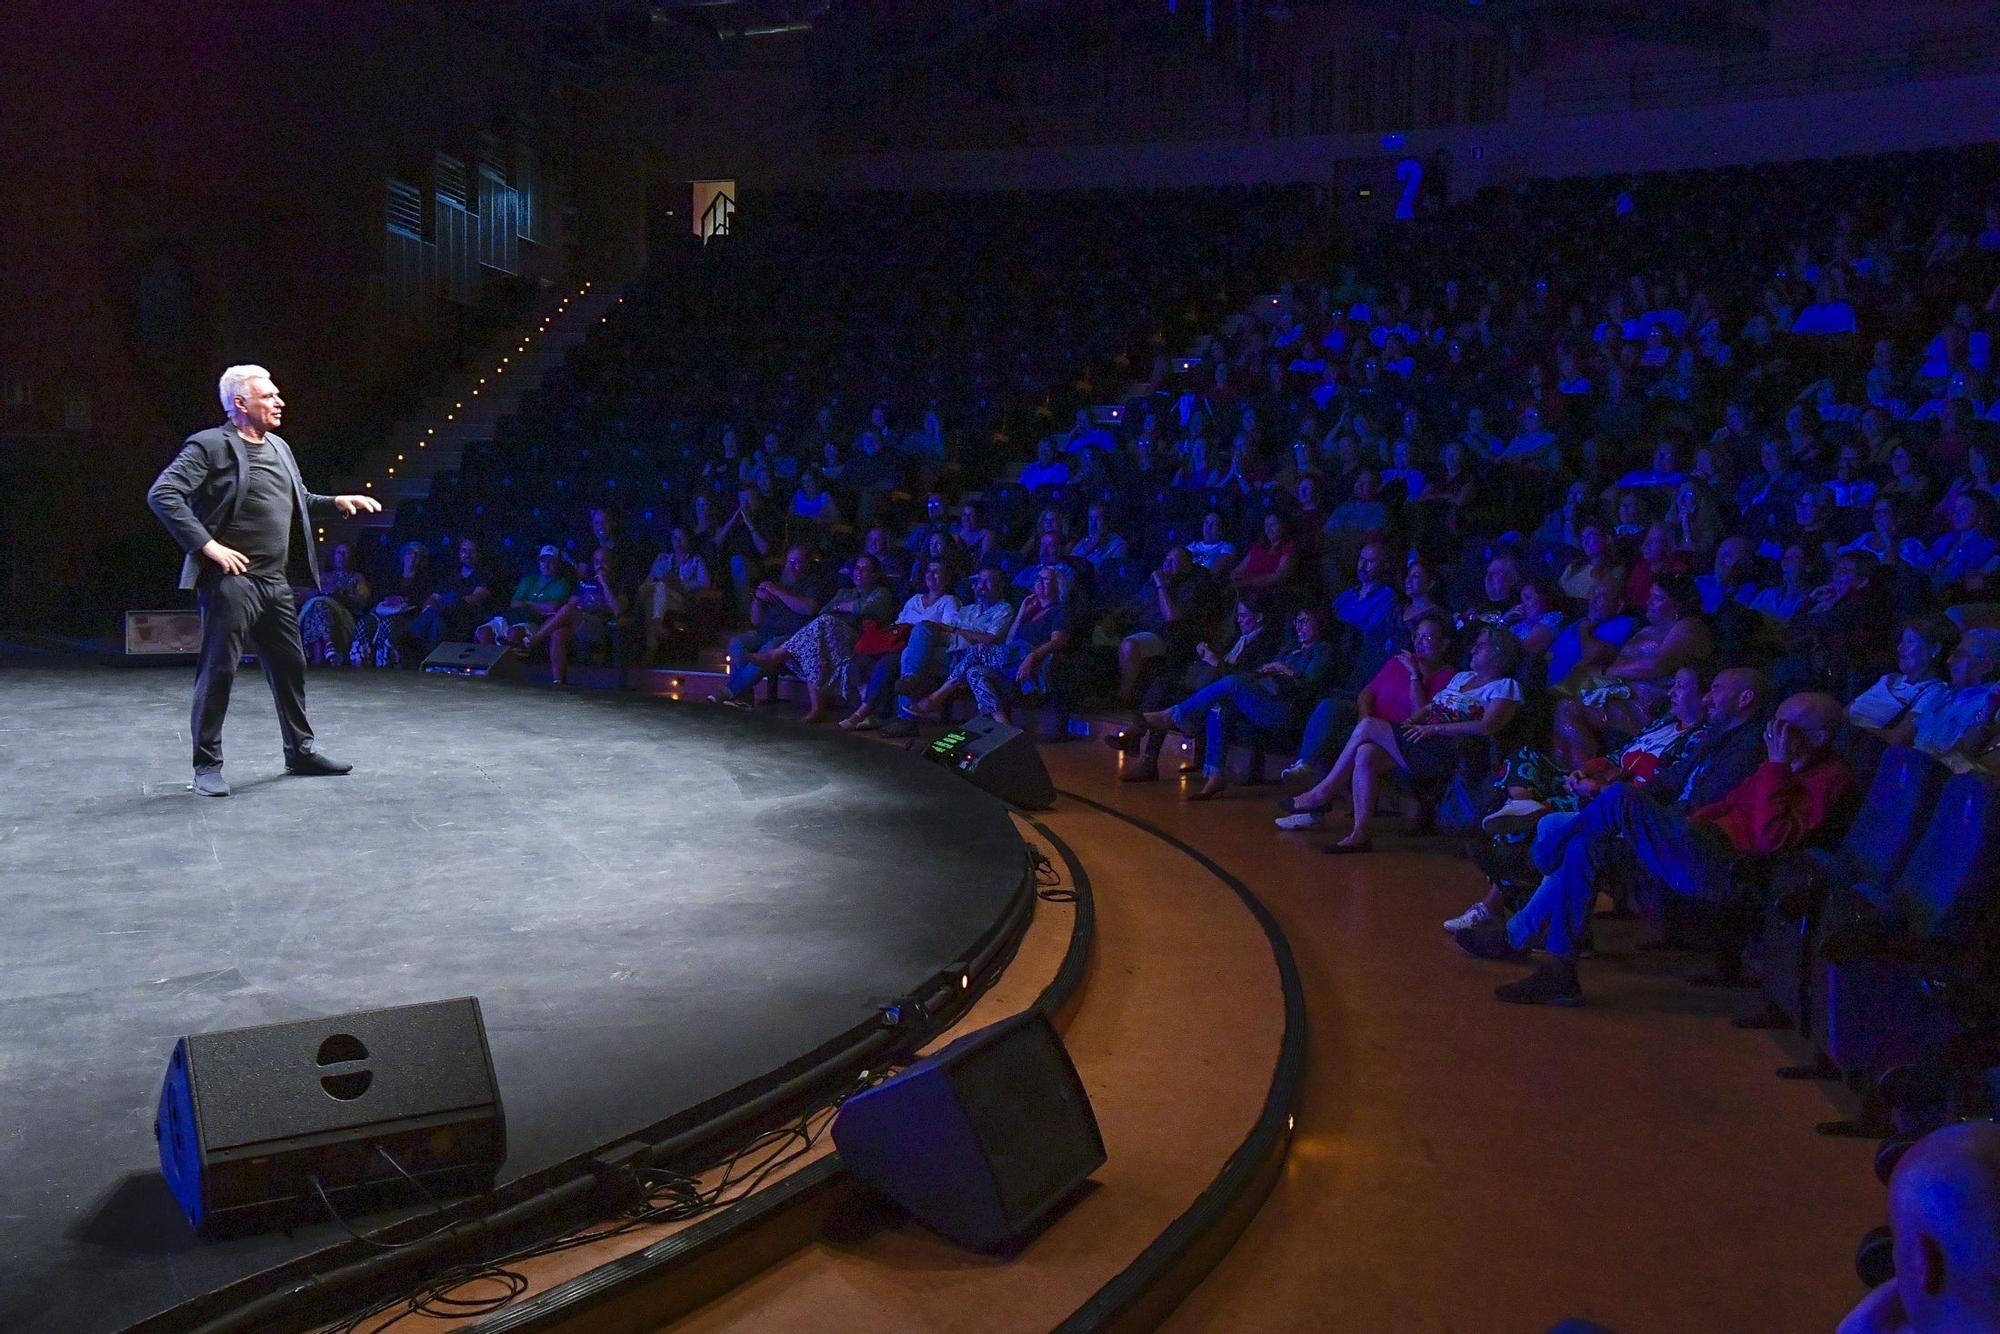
(1891, 989)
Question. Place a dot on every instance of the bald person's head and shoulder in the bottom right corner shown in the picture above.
(1945, 1211)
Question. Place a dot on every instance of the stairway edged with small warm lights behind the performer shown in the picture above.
(469, 411)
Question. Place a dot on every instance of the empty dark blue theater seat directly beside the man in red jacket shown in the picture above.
(1863, 869)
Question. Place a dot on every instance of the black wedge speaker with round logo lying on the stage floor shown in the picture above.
(359, 1103)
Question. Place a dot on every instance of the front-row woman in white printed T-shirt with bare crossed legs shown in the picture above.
(1477, 703)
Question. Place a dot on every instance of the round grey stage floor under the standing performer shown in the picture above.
(655, 905)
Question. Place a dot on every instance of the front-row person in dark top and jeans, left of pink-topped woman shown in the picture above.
(1263, 701)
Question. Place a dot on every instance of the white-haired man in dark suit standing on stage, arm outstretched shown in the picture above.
(229, 499)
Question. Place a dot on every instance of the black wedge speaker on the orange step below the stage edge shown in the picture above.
(981, 1141)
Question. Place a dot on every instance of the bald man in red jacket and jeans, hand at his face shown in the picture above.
(1775, 809)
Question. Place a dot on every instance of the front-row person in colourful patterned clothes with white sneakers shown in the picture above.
(1539, 793)
